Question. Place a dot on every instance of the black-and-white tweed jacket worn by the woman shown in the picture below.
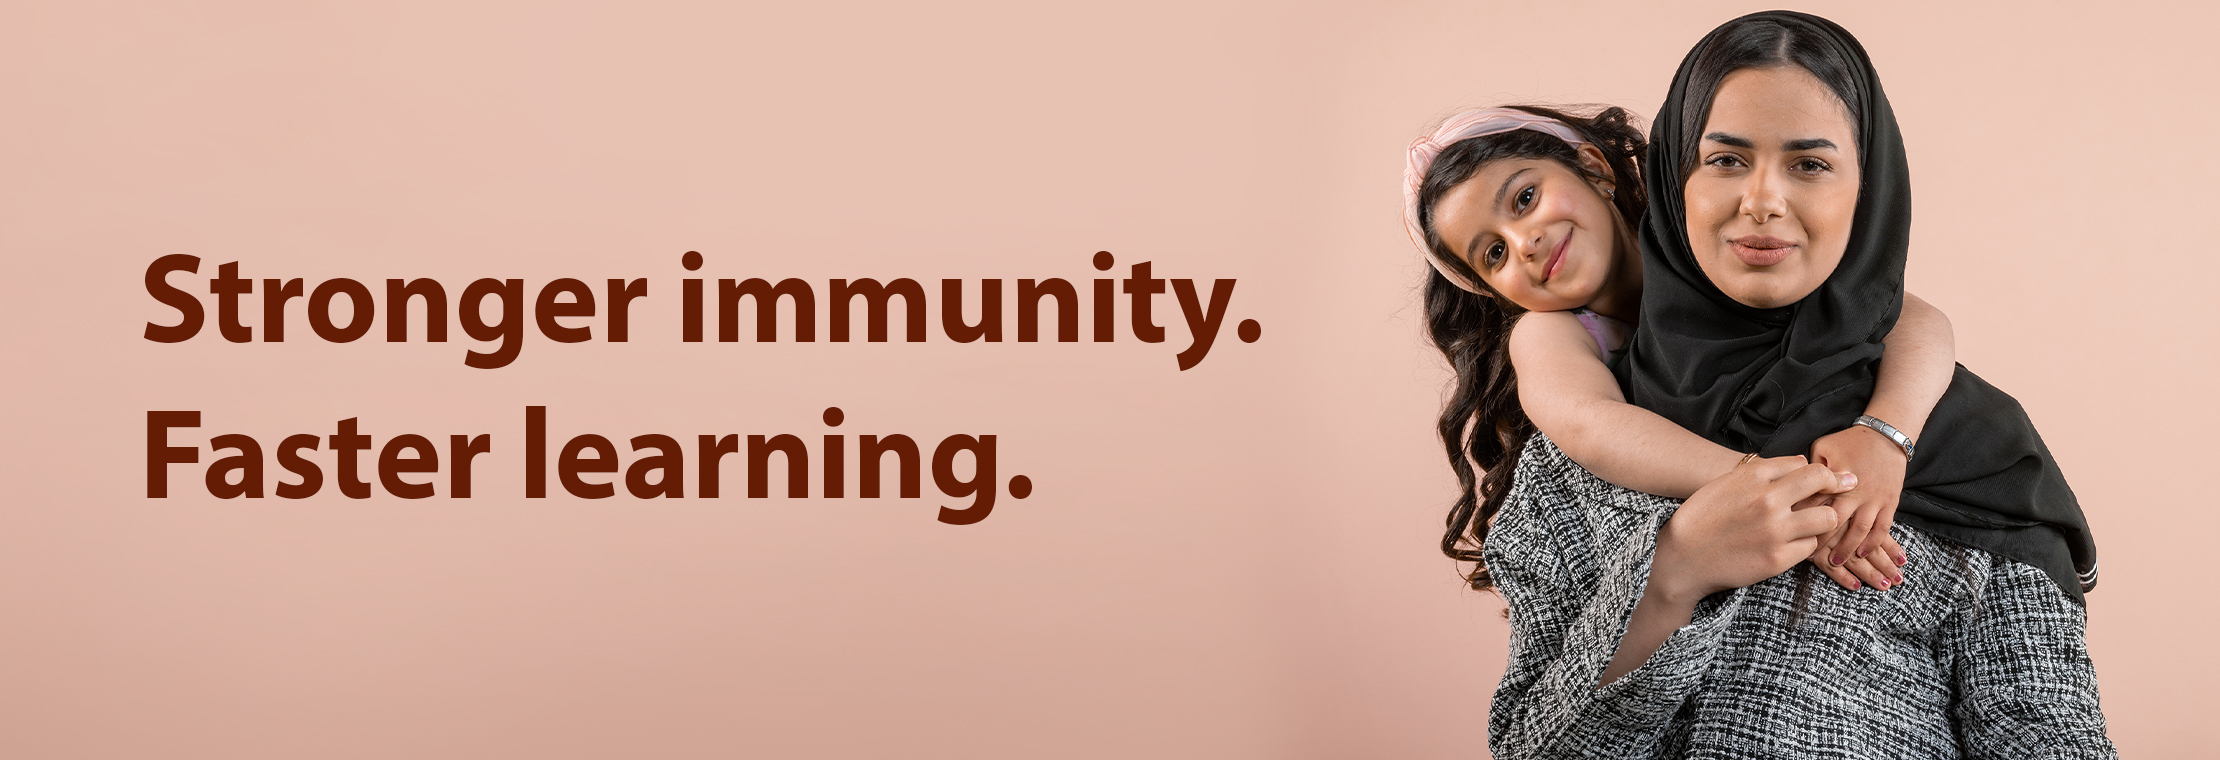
(1975, 657)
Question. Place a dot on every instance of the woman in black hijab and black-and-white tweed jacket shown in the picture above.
(1773, 263)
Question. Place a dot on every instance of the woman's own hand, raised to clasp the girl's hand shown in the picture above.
(1748, 526)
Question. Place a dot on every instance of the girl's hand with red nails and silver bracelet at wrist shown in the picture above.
(1866, 512)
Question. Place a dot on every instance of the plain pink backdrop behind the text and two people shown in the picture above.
(1224, 563)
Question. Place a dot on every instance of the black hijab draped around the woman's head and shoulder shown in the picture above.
(1773, 381)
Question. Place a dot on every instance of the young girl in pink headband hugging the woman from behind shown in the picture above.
(1526, 217)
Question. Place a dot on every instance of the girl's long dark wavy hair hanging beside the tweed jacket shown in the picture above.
(1482, 423)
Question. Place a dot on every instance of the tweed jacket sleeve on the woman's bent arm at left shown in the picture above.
(1571, 557)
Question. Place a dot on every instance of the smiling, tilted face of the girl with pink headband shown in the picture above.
(1540, 234)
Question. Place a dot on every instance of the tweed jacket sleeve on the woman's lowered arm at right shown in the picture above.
(2021, 666)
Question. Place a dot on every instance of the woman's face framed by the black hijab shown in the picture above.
(1775, 188)
